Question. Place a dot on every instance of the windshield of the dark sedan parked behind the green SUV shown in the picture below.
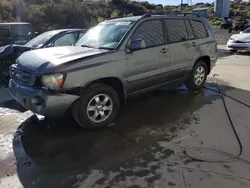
(41, 39)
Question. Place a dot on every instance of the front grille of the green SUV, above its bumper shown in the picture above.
(21, 75)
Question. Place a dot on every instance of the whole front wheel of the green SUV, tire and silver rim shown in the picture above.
(87, 107)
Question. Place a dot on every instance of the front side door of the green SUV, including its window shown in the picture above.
(145, 65)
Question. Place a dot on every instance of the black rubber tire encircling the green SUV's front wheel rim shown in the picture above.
(79, 108)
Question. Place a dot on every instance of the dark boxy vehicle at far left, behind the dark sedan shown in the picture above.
(15, 33)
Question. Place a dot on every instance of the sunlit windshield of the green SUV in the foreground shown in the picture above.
(105, 35)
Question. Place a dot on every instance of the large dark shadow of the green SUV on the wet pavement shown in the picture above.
(51, 153)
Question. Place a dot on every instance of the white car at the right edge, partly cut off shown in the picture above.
(239, 41)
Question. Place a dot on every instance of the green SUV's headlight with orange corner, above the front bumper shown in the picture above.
(53, 81)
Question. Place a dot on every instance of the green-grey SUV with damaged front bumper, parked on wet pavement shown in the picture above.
(113, 61)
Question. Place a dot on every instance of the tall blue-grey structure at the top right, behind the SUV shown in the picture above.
(222, 8)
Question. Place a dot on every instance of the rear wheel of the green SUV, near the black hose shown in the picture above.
(191, 82)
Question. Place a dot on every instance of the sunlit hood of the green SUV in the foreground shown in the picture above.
(52, 57)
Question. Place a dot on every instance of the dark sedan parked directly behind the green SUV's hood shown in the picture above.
(62, 37)
